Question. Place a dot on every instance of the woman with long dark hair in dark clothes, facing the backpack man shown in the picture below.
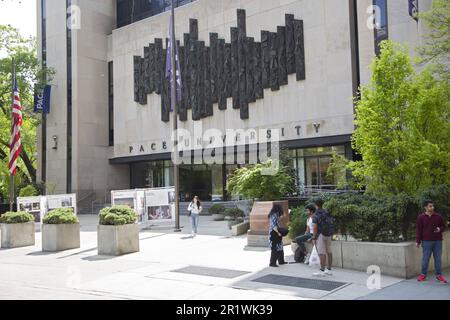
(275, 236)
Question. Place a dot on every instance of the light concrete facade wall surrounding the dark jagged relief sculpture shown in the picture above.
(324, 97)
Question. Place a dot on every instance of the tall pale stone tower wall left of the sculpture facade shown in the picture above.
(92, 176)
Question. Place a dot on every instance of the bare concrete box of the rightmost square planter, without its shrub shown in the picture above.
(118, 240)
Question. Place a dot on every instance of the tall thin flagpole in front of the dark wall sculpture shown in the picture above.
(173, 102)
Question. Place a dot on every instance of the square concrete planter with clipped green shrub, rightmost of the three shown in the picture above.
(118, 232)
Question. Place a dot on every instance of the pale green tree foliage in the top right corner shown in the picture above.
(436, 50)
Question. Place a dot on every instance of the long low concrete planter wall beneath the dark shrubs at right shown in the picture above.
(394, 259)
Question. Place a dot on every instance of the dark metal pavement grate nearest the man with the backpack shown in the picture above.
(316, 284)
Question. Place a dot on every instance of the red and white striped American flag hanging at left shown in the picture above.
(15, 146)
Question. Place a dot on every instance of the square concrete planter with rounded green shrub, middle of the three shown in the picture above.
(60, 230)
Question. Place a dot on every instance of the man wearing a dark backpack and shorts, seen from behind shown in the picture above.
(323, 225)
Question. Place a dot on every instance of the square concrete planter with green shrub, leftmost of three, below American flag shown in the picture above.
(17, 229)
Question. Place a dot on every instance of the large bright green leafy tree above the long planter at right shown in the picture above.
(403, 128)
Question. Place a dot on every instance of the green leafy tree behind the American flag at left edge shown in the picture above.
(29, 72)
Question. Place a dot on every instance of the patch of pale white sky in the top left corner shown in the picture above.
(20, 14)
